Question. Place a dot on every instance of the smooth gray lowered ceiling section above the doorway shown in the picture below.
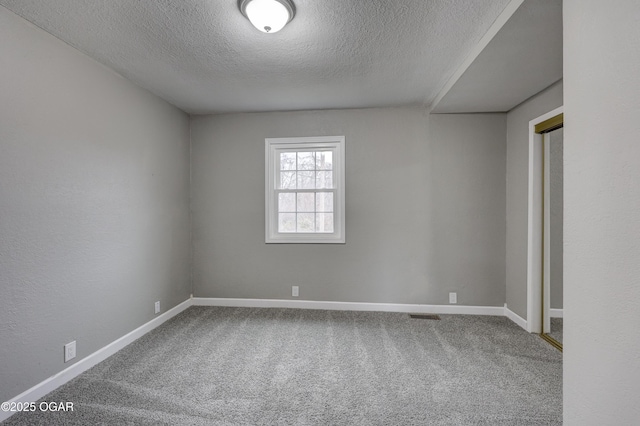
(522, 59)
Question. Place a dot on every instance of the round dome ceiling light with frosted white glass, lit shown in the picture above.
(269, 16)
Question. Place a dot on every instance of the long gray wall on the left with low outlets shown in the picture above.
(94, 218)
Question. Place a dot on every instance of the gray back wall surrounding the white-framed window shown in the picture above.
(425, 200)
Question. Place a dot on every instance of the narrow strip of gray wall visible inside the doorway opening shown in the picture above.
(556, 213)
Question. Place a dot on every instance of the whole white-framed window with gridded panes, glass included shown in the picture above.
(304, 199)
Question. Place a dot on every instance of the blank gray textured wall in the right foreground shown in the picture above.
(602, 213)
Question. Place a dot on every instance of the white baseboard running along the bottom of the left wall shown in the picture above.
(41, 389)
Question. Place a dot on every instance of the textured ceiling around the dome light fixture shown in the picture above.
(205, 57)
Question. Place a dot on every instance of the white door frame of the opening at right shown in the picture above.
(536, 273)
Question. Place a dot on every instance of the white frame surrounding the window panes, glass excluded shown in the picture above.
(275, 145)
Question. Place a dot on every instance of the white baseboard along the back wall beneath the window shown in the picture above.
(350, 306)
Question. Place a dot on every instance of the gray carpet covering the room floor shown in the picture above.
(244, 366)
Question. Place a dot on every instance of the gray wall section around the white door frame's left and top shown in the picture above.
(517, 192)
